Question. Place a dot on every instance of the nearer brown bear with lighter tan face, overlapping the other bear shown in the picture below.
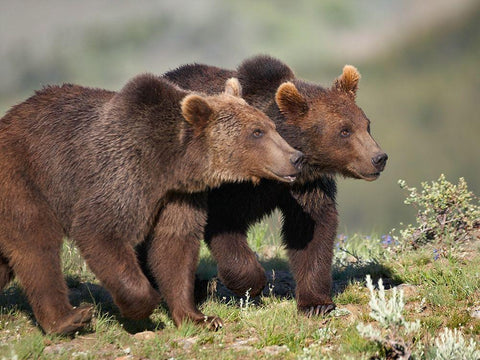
(100, 167)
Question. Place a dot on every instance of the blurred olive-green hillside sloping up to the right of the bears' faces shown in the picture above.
(422, 98)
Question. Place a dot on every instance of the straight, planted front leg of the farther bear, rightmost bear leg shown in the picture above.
(309, 229)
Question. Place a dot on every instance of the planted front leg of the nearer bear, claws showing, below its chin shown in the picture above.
(173, 256)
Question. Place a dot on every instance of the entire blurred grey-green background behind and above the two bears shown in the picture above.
(419, 62)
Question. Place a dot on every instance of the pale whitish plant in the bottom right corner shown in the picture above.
(451, 345)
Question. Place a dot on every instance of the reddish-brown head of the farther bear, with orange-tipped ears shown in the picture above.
(328, 126)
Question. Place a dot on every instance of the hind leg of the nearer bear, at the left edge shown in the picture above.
(31, 240)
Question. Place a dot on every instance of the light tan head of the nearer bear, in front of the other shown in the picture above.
(242, 142)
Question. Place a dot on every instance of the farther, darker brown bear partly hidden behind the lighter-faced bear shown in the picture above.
(333, 133)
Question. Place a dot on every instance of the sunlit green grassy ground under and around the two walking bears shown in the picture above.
(269, 327)
